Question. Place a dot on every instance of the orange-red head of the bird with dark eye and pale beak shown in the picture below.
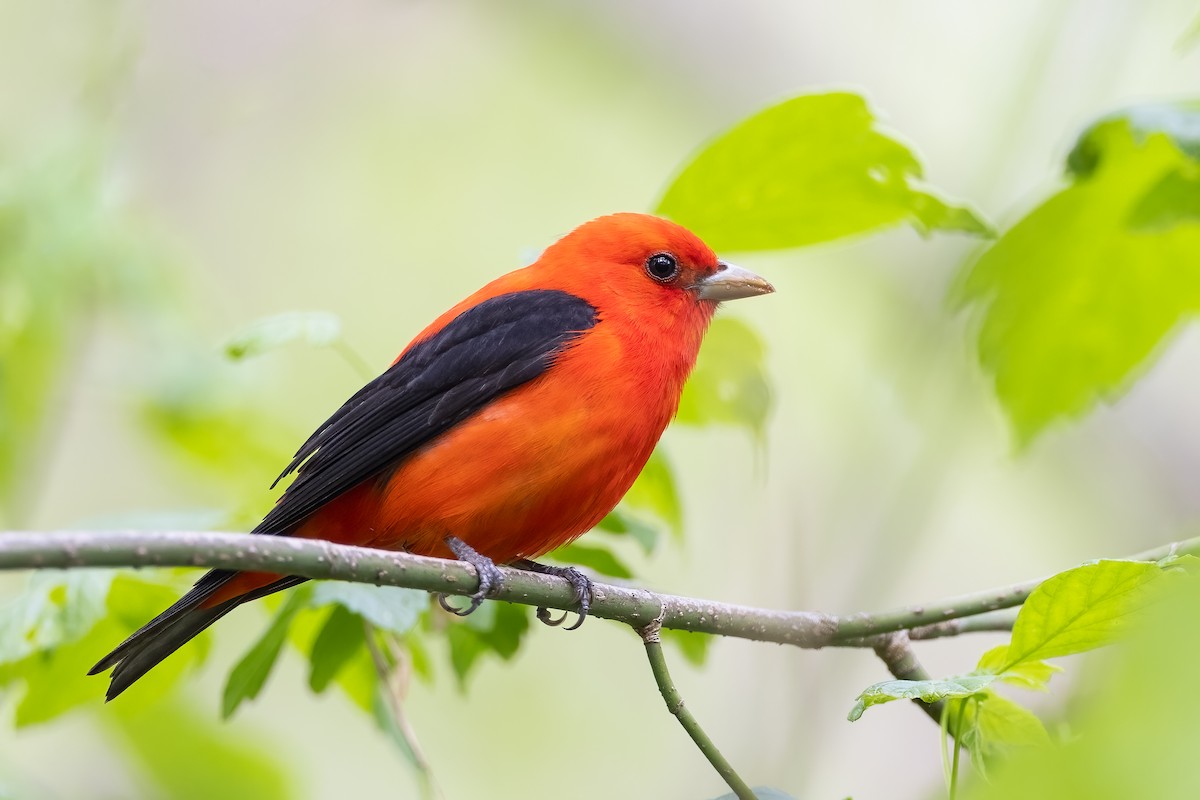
(647, 260)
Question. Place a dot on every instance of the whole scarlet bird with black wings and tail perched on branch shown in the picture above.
(509, 426)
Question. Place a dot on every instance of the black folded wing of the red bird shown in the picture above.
(482, 354)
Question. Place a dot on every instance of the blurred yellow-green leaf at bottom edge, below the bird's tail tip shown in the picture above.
(189, 757)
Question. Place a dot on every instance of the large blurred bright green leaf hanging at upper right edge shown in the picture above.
(1079, 297)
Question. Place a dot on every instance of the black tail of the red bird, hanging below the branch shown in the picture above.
(178, 625)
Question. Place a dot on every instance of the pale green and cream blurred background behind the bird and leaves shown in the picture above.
(382, 160)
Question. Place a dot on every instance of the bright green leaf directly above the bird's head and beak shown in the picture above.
(811, 170)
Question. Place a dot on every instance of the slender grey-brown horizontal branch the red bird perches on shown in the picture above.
(635, 607)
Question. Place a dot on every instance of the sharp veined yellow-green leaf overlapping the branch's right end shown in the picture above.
(1078, 610)
